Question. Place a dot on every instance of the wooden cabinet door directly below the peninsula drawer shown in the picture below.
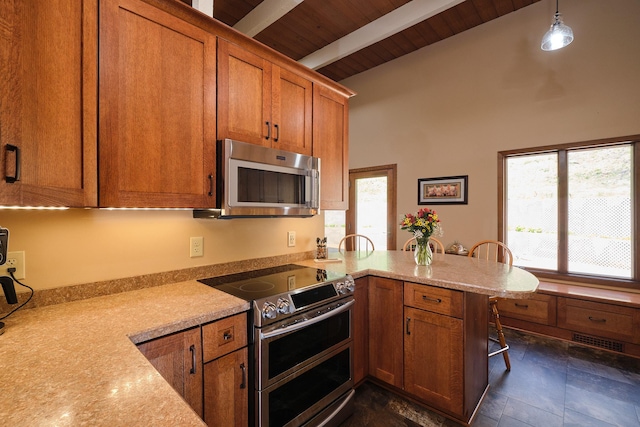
(433, 353)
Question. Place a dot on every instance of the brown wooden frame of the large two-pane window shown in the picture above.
(561, 273)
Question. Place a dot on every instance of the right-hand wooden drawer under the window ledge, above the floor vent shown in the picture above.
(605, 320)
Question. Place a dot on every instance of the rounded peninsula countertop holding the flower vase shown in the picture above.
(446, 271)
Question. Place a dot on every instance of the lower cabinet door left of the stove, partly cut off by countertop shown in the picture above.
(178, 358)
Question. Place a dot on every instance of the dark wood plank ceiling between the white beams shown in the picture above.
(314, 24)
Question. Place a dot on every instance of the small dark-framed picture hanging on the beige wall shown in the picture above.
(447, 190)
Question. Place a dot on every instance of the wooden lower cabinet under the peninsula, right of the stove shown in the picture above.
(430, 343)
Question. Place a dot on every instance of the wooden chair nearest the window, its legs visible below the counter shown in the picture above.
(495, 250)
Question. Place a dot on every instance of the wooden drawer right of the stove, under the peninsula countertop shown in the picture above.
(431, 298)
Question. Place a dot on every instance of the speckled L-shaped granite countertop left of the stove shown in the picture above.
(77, 363)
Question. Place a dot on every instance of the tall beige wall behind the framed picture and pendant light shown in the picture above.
(448, 108)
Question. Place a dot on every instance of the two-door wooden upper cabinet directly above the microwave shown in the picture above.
(262, 103)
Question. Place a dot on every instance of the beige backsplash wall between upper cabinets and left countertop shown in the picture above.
(82, 245)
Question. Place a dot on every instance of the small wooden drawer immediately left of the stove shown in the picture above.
(224, 336)
